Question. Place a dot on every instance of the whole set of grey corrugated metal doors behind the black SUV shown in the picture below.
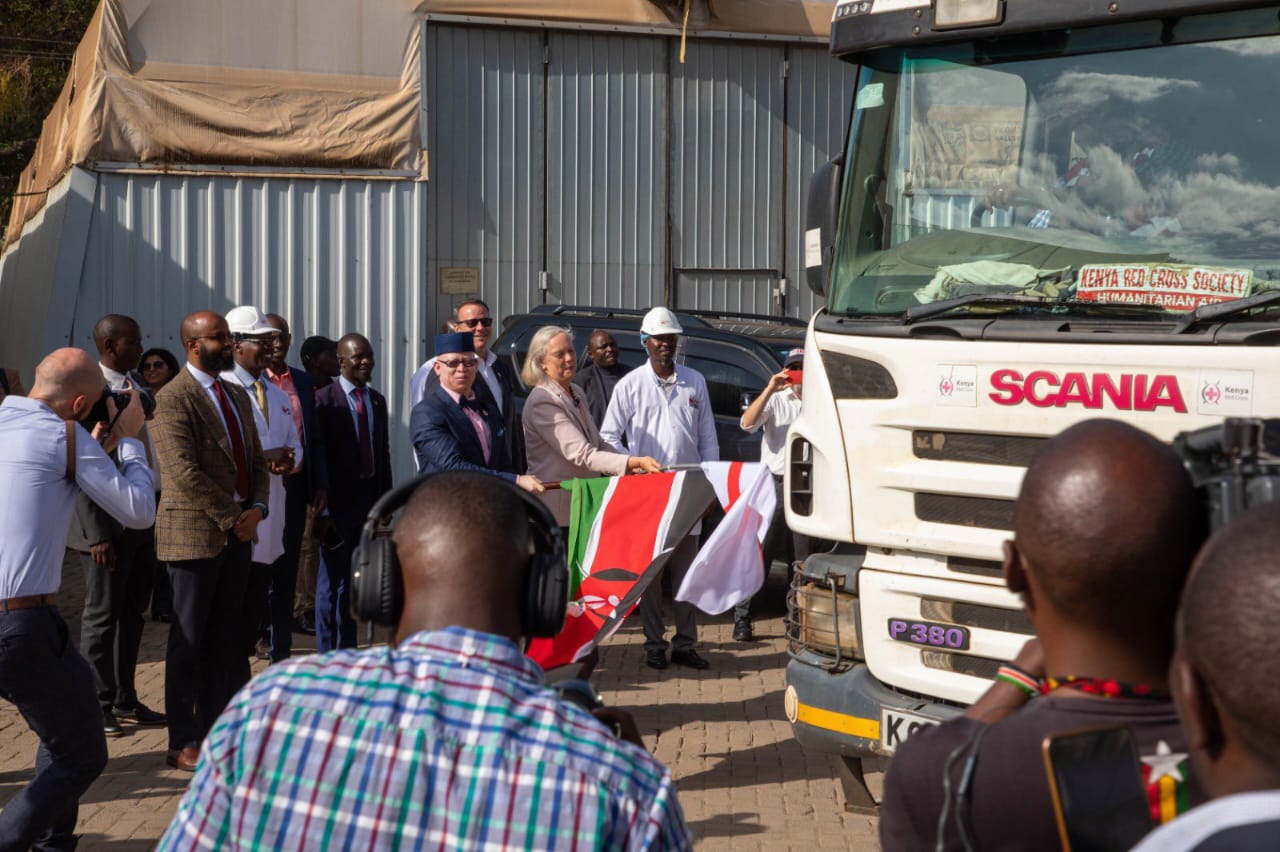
(630, 178)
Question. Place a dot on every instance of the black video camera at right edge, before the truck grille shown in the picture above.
(1235, 466)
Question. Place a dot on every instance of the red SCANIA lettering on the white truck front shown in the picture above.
(1123, 392)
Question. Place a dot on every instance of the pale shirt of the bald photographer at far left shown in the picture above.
(38, 501)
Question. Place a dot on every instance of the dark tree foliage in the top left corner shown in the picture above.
(38, 39)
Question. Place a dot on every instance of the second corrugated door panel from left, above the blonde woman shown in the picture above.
(606, 170)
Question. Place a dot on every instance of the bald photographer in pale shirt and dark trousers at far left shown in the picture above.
(47, 459)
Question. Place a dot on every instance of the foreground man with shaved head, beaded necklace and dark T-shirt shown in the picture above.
(1105, 529)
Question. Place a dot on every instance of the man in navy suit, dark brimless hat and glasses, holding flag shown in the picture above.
(456, 429)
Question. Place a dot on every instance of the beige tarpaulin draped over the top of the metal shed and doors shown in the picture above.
(298, 84)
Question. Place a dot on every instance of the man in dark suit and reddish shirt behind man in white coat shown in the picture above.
(305, 491)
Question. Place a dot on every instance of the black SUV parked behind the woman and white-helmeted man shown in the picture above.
(735, 352)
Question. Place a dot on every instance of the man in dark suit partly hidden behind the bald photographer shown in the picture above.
(118, 562)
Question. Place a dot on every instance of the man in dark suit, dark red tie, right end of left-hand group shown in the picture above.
(351, 419)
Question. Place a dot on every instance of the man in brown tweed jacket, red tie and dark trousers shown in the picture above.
(214, 497)
